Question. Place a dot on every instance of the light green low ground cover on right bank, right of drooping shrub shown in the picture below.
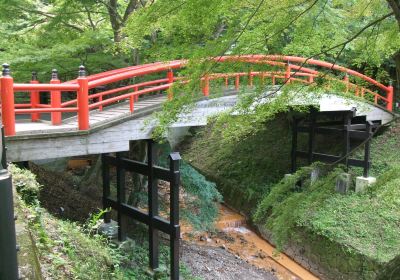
(368, 223)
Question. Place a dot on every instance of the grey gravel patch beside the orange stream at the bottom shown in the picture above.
(211, 263)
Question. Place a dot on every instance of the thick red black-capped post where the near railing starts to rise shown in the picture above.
(83, 100)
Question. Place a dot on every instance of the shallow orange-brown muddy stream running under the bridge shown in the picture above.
(234, 236)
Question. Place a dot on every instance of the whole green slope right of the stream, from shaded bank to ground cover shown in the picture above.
(352, 236)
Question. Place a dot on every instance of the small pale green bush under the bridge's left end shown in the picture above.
(25, 184)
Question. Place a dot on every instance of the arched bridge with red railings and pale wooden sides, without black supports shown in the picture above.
(101, 113)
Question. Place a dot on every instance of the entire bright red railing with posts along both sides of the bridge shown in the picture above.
(292, 69)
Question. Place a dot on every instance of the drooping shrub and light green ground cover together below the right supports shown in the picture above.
(365, 223)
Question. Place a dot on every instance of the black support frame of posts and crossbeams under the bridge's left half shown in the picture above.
(154, 222)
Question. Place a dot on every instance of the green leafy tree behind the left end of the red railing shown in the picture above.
(41, 35)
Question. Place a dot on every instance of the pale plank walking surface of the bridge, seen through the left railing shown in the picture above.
(117, 112)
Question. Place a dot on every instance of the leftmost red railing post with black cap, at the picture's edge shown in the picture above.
(7, 101)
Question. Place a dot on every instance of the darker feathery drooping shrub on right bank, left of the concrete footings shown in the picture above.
(281, 209)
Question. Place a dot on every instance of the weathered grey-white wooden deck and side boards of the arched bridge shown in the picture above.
(112, 129)
